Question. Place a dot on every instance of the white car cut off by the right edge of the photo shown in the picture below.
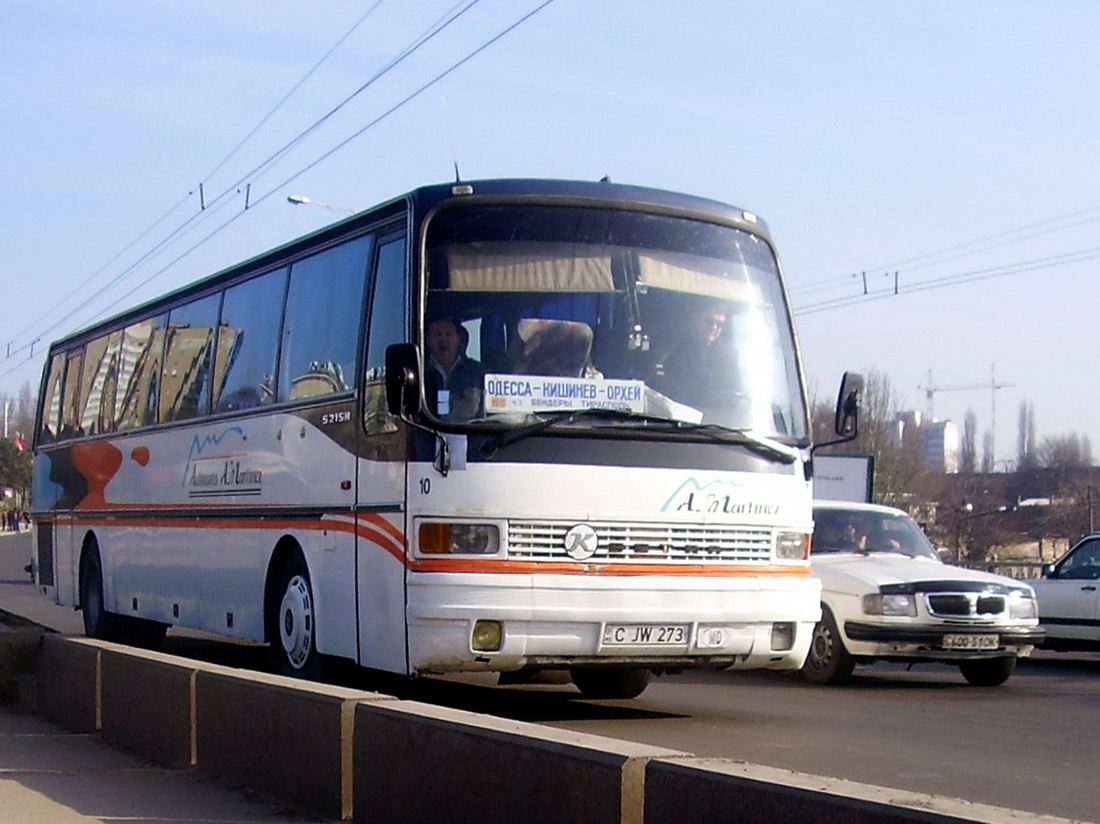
(1070, 598)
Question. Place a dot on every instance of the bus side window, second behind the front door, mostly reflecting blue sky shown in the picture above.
(248, 343)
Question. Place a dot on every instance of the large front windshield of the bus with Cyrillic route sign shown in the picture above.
(535, 310)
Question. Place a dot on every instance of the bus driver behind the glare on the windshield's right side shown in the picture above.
(699, 366)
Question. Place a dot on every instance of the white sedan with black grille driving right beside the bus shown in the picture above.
(887, 596)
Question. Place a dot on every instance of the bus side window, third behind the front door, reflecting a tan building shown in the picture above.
(185, 384)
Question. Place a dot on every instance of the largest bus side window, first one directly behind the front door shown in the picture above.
(321, 334)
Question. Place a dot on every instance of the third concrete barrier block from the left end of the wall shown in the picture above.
(281, 737)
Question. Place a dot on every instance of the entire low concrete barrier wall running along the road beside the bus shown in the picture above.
(350, 754)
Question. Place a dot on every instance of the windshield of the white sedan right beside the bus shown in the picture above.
(863, 531)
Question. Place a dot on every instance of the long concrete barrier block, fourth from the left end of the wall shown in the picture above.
(417, 763)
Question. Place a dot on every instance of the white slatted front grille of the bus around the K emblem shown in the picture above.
(645, 543)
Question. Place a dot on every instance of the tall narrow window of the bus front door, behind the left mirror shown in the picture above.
(388, 325)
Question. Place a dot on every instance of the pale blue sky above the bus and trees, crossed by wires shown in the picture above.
(873, 137)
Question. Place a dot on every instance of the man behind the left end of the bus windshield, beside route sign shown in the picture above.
(455, 382)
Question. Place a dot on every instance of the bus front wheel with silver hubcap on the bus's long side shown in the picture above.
(292, 629)
